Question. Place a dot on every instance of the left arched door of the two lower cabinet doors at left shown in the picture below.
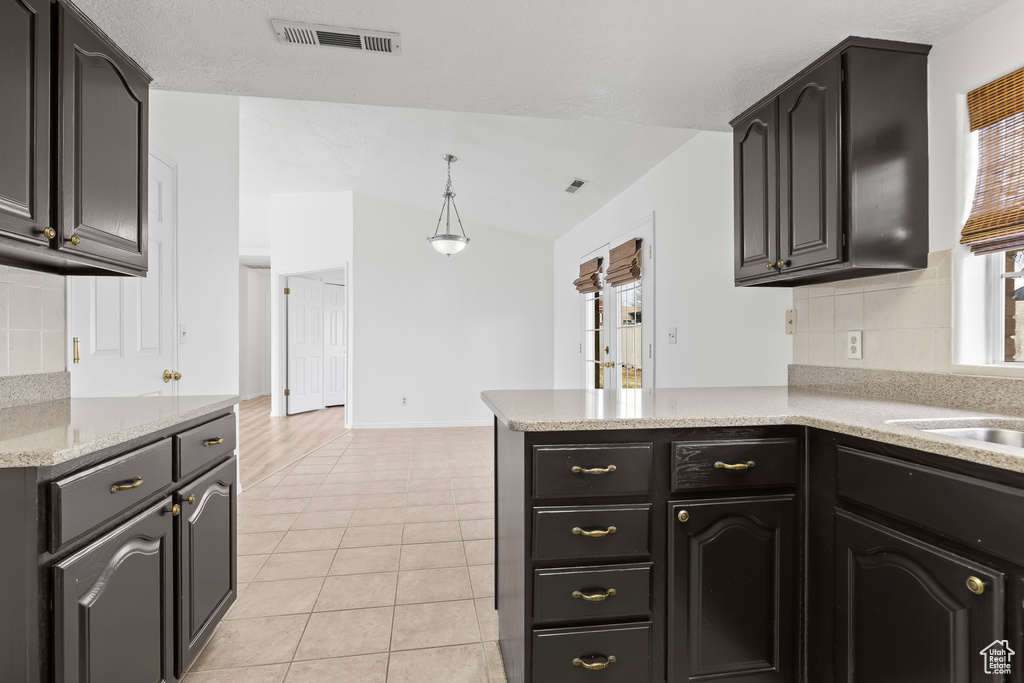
(114, 609)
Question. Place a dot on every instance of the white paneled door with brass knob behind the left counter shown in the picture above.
(126, 326)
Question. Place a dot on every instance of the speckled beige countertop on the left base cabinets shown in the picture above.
(56, 432)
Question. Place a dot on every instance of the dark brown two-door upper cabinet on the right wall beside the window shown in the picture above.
(831, 170)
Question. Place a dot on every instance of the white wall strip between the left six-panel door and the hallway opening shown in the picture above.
(201, 135)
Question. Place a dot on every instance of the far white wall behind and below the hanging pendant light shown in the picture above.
(441, 330)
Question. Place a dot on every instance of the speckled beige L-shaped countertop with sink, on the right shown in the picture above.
(893, 422)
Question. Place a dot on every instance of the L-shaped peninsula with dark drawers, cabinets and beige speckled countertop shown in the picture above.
(765, 534)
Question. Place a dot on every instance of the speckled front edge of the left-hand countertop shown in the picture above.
(45, 456)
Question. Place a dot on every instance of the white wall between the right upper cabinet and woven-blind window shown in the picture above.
(983, 52)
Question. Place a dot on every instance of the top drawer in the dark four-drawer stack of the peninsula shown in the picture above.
(579, 472)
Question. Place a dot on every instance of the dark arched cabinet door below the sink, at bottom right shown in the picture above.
(906, 613)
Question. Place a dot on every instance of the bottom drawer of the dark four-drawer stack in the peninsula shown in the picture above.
(561, 654)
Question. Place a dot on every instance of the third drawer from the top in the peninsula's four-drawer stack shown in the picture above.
(592, 593)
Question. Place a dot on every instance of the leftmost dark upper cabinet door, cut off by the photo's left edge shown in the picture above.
(25, 44)
